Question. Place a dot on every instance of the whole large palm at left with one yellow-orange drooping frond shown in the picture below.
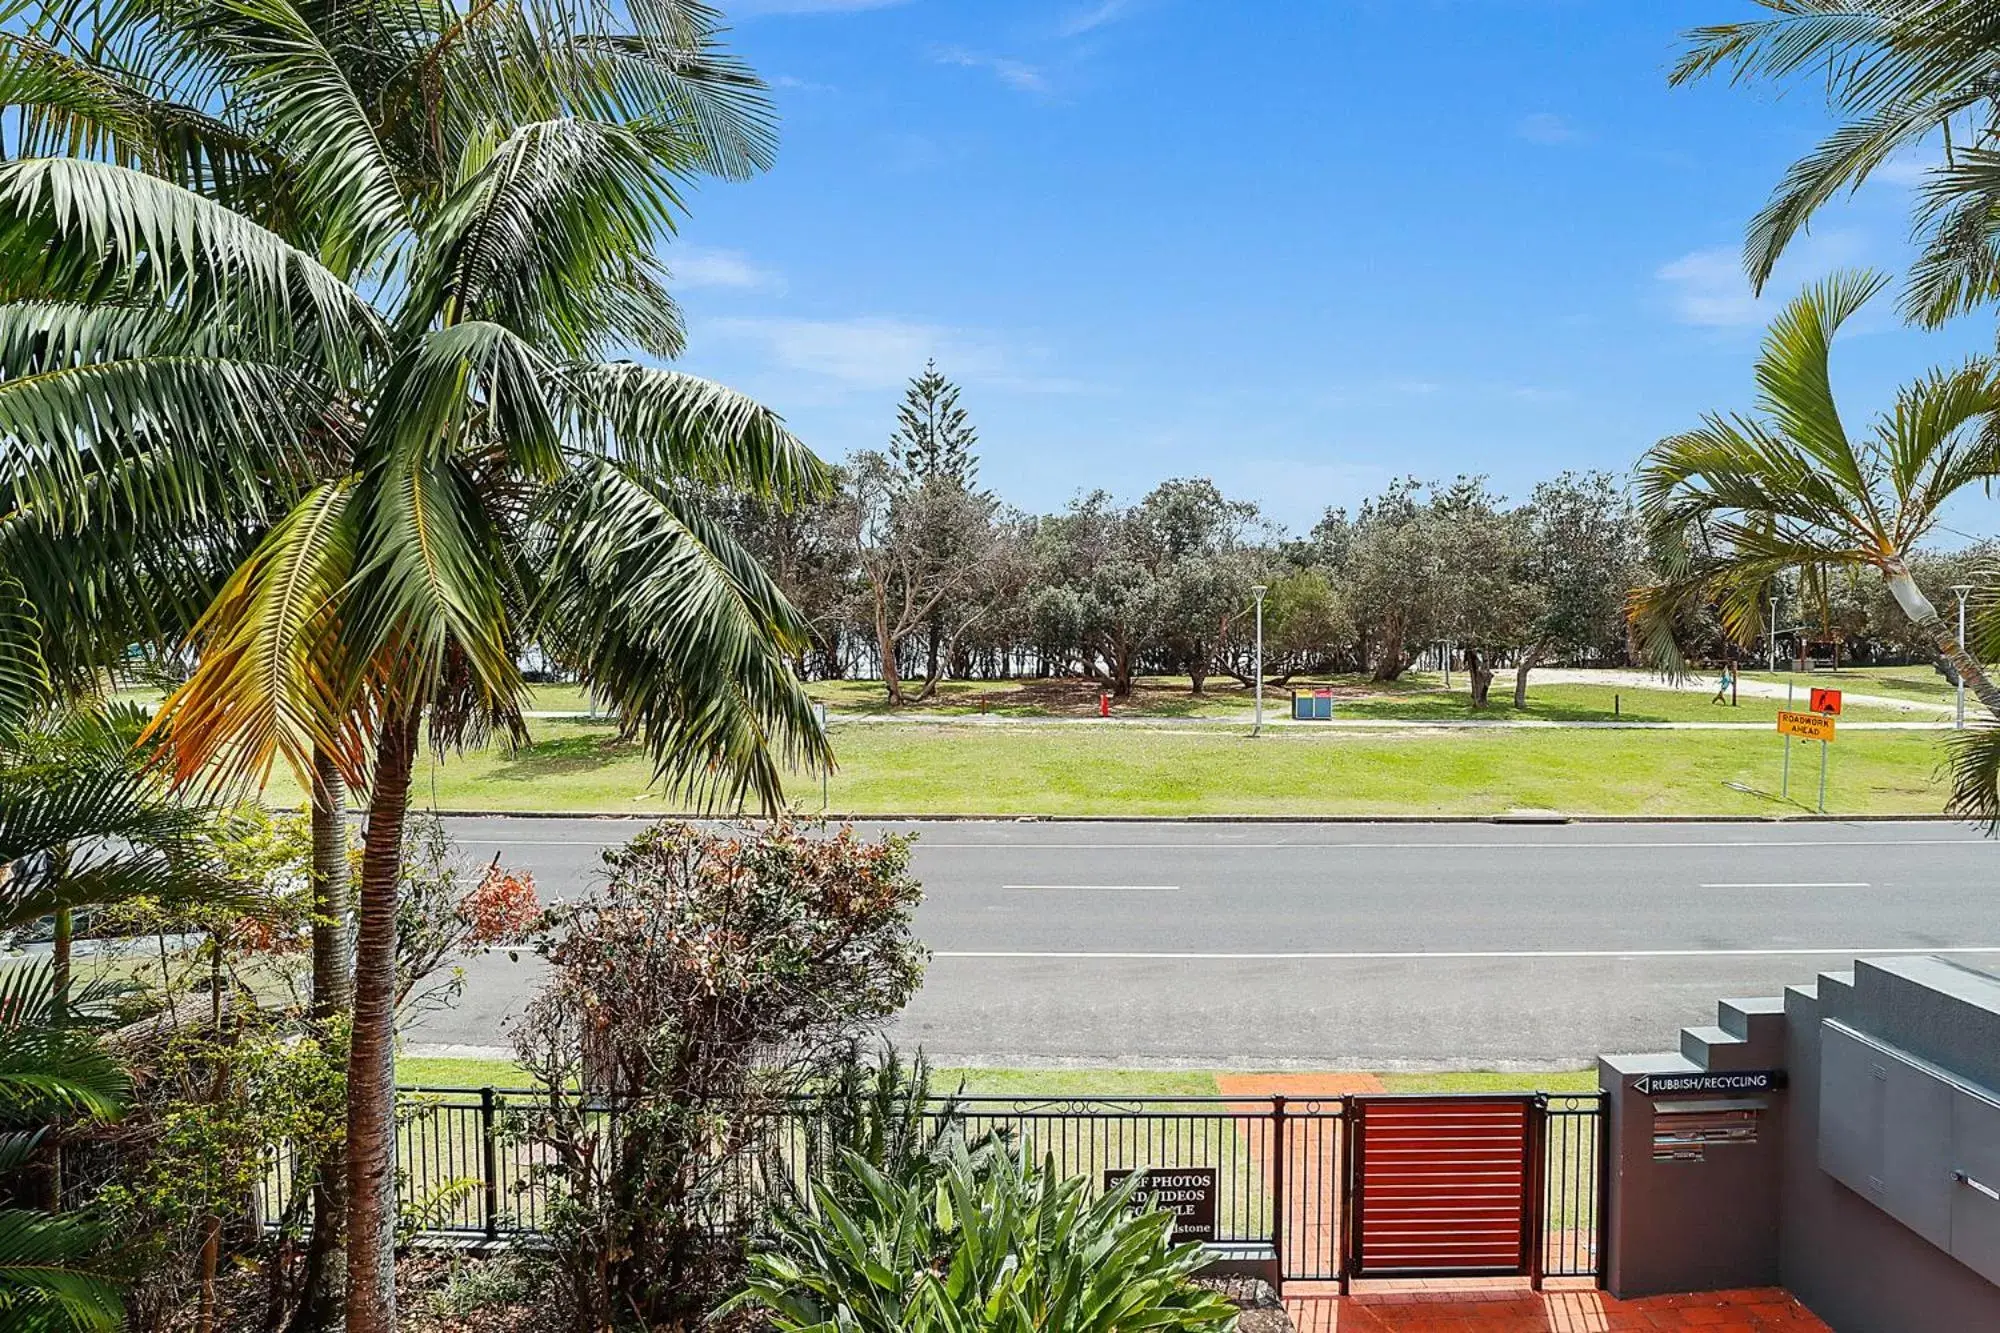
(395, 269)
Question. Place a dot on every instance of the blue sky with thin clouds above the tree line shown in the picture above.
(1301, 247)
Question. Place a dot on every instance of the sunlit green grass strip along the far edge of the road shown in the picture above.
(577, 766)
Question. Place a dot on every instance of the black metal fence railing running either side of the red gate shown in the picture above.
(1281, 1166)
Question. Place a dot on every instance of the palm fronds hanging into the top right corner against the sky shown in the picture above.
(1899, 73)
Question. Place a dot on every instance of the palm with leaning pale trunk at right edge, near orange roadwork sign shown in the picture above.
(1745, 499)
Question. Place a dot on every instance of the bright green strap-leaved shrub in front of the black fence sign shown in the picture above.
(993, 1246)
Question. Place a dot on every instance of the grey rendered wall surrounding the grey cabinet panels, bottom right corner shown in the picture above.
(1853, 1264)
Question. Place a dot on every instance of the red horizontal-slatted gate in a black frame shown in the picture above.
(1443, 1188)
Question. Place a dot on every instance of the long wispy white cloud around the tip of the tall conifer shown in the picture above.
(885, 351)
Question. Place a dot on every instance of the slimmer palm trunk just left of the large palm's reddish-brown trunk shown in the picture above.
(333, 996)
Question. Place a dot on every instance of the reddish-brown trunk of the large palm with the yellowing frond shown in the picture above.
(373, 1046)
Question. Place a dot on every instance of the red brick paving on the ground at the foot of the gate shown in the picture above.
(1511, 1310)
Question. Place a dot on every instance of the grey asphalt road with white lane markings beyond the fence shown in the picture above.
(1353, 946)
